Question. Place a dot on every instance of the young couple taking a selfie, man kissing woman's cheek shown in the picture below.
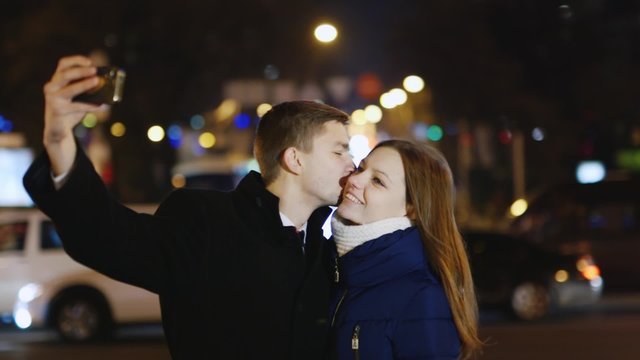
(234, 281)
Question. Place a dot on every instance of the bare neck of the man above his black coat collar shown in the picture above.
(293, 202)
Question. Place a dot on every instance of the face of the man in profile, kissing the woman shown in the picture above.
(327, 164)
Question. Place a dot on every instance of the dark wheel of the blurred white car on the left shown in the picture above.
(81, 318)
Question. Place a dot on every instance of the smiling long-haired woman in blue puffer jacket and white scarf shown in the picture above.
(404, 288)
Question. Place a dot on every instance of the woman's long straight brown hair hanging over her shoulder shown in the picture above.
(430, 196)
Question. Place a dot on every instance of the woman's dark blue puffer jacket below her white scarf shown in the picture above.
(389, 304)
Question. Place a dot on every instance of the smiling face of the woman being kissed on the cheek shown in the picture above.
(376, 190)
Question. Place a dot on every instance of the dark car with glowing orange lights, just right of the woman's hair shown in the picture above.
(525, 279)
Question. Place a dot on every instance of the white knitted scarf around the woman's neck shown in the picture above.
(348, 237)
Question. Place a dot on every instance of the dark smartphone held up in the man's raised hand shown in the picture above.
(109, 89)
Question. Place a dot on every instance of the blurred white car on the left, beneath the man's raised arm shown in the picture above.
(41, 286)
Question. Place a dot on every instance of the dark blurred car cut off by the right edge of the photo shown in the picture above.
(601, 219)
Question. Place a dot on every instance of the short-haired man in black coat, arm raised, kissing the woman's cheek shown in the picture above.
(233, 282)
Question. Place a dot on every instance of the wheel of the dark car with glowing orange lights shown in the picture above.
(529, 301)
